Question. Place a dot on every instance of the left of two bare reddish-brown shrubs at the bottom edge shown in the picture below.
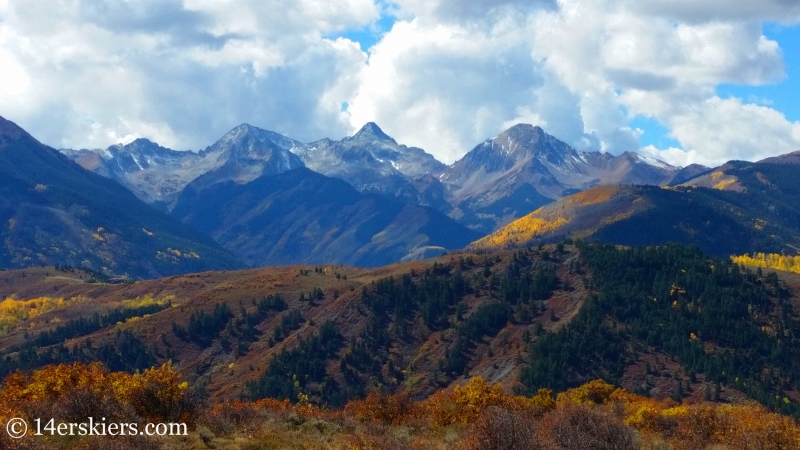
(501, 428)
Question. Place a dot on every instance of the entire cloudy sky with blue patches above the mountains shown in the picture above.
(680, 80)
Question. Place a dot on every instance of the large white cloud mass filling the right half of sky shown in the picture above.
(590, 67)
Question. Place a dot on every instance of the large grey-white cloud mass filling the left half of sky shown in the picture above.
(88, 73)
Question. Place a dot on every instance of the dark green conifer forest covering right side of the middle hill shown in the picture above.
(724, 324)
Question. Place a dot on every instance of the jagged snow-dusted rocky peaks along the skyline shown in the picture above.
(500, 180)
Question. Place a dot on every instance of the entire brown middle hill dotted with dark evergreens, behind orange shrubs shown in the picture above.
(667, 322)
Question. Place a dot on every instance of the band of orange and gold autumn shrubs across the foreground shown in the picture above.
(478, 415)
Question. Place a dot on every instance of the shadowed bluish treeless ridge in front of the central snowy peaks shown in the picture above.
(301, 216)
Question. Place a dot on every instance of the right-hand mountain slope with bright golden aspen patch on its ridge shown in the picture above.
(752, 207)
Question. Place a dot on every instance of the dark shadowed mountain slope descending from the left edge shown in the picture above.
(52, 211)
